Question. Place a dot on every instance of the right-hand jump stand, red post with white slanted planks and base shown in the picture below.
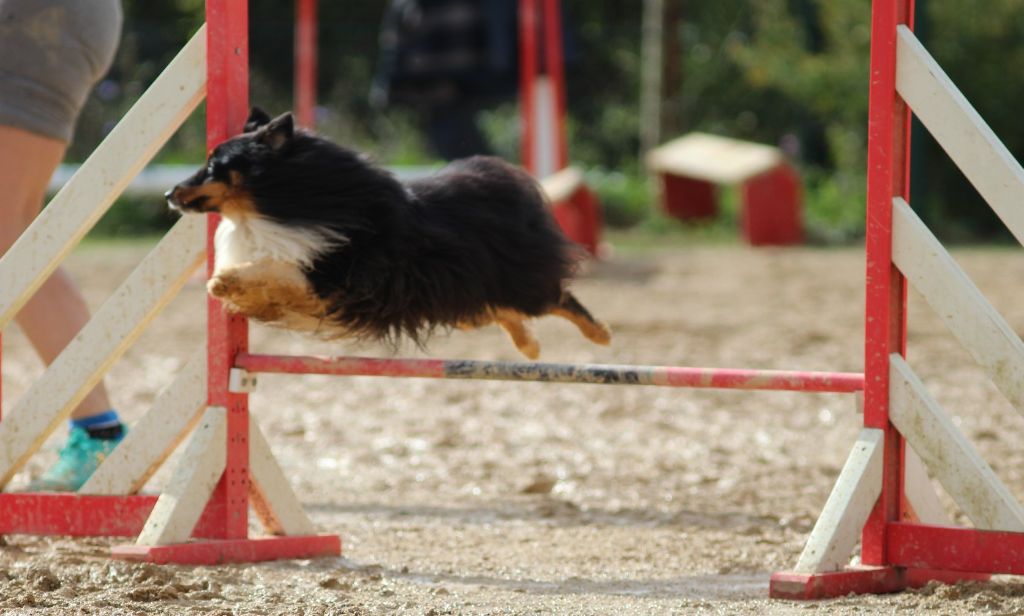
(884, 496)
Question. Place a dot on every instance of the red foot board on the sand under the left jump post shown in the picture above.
(233, 551)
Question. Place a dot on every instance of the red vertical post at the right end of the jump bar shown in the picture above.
(888, 158)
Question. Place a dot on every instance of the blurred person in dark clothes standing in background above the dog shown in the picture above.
(448, 61)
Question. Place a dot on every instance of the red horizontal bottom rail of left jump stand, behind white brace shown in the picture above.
(90, 516)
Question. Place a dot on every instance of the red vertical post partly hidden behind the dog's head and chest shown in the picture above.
(227, 109)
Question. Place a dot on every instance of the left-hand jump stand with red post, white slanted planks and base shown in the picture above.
(203, 515)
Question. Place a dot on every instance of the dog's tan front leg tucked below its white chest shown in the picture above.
(267, 291)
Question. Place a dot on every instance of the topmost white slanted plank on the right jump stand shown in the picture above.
(960, 130)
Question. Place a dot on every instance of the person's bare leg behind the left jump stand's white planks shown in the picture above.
(57, 313)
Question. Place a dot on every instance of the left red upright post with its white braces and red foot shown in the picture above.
(228, 417)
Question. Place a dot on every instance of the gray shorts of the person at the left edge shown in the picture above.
(52, 55)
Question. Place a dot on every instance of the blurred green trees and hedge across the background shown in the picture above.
(792, 73)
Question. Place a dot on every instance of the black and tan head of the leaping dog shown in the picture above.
(223, 185)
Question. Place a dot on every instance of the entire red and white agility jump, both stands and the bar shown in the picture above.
(882, 499)
